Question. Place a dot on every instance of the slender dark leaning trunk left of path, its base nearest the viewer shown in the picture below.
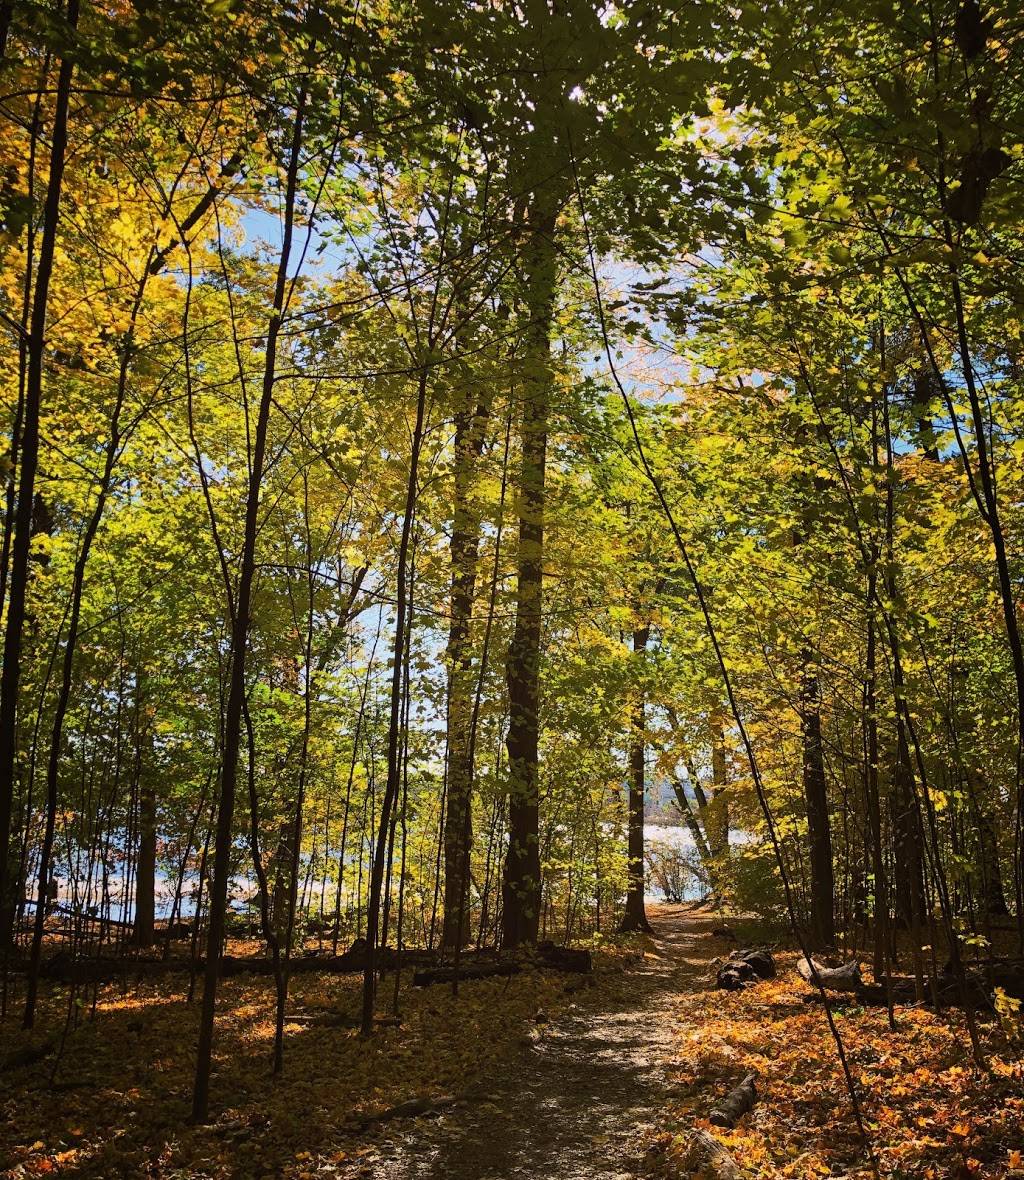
(240, 643)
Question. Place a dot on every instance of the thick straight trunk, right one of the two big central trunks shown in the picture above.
(521, 886)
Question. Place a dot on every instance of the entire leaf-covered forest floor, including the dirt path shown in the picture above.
(539, 1077)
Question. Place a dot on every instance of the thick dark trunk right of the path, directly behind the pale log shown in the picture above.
(816, 797)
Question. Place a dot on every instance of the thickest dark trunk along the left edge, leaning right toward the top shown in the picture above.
(18, 578)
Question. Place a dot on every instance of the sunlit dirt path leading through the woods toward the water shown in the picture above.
(582, 1104)
